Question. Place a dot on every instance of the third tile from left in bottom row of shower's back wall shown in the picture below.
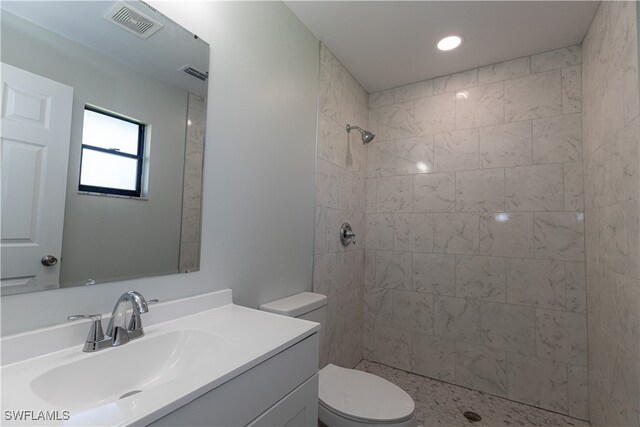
(481, 368)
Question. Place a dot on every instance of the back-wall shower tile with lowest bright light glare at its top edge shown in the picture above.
(507, 234)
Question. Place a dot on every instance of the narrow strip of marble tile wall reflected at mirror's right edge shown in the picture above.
(192, 185)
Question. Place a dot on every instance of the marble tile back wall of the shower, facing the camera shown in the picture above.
(474, 255)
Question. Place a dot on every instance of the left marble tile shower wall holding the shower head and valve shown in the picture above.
(340, 197)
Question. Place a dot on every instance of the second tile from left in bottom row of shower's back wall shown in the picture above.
(433, 356)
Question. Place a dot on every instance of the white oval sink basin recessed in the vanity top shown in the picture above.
(117, 373)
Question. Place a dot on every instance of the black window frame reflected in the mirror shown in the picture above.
(139, 157)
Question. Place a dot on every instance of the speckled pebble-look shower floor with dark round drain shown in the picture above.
(442, 404)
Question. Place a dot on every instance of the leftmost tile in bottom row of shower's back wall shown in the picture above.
(392, 347)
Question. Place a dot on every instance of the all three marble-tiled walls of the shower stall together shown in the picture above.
(472, 270)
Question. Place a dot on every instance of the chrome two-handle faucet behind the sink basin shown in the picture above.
(117, 332)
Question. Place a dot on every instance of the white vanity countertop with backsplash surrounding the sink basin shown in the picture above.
(251, 337)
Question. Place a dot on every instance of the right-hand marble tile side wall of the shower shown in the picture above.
(611, 131)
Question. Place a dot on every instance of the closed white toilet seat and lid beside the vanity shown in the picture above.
(363, 397)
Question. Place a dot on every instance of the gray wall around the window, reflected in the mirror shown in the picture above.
(95, 227)
